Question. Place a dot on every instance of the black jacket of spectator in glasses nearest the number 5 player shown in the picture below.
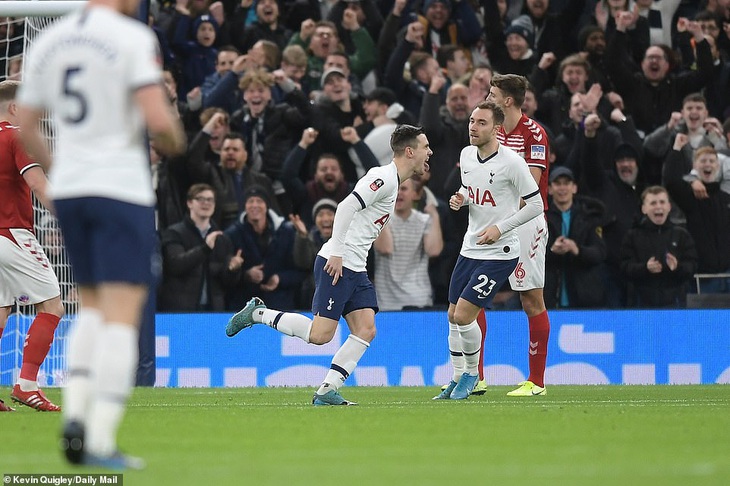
(188, 262)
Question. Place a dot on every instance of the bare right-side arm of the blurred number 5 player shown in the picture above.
(164, 126)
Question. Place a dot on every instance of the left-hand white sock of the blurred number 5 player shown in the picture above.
(82, 342)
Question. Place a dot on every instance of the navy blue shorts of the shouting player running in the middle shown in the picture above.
(353, 291)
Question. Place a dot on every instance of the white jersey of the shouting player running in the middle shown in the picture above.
(376, 192)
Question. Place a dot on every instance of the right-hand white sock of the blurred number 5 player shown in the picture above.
(115, 363)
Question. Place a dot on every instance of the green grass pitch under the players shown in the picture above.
(577, 435)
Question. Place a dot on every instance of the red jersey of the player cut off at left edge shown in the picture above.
(16, 205)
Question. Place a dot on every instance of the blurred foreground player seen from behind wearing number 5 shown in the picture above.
(97, 71)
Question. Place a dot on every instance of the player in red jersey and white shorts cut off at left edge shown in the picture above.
(26, 276)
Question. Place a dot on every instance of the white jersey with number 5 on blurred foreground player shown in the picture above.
(85, 70)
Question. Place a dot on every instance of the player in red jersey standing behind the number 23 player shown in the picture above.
(527, 138)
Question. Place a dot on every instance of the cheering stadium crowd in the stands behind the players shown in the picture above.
(287, 103)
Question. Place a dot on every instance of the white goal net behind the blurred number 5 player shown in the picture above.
(17, 34)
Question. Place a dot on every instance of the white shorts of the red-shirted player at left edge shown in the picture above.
(26, 275)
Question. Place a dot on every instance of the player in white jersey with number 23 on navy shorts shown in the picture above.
(494, 183)
